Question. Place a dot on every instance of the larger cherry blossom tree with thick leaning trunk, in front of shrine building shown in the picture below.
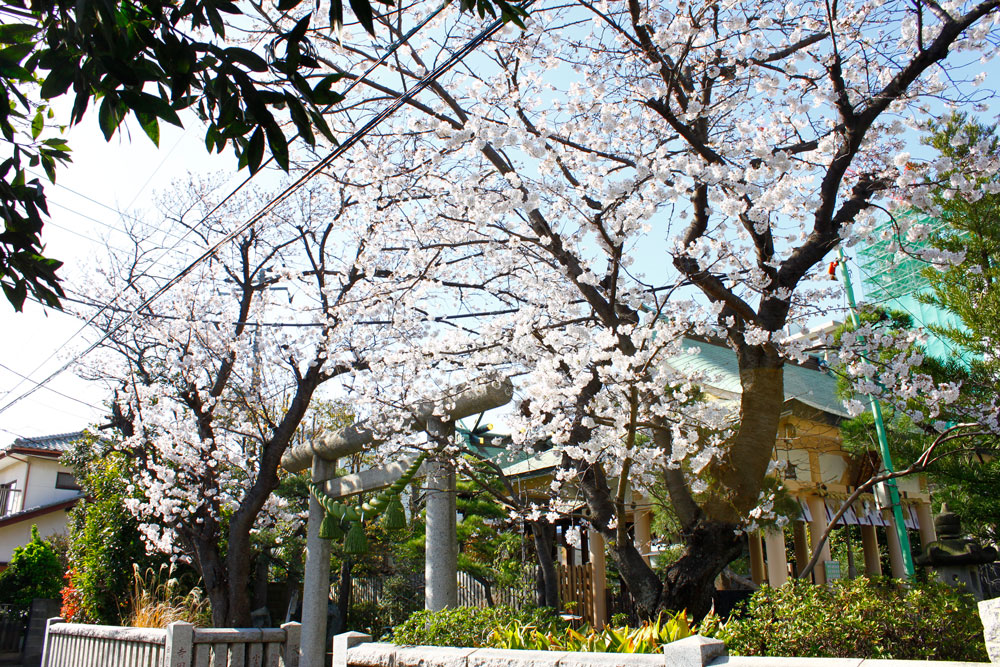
(628, 173)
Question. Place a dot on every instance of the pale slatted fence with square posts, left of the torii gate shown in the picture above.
(179, 645)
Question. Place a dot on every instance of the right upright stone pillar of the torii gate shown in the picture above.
(441, 544)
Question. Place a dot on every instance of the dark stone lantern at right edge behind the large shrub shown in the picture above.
(955, 557)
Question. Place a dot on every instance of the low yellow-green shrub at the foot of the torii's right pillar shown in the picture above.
(468, 626)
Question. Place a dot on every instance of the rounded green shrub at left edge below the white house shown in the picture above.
(34, 572)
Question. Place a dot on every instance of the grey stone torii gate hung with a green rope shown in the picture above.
(440, 573)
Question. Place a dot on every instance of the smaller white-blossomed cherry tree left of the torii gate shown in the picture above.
(216, 376)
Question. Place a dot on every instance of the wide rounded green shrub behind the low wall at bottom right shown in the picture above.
(857, 618)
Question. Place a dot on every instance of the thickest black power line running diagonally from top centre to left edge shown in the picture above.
(400, 100)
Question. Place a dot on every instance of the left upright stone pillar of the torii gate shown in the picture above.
(316, 581)
